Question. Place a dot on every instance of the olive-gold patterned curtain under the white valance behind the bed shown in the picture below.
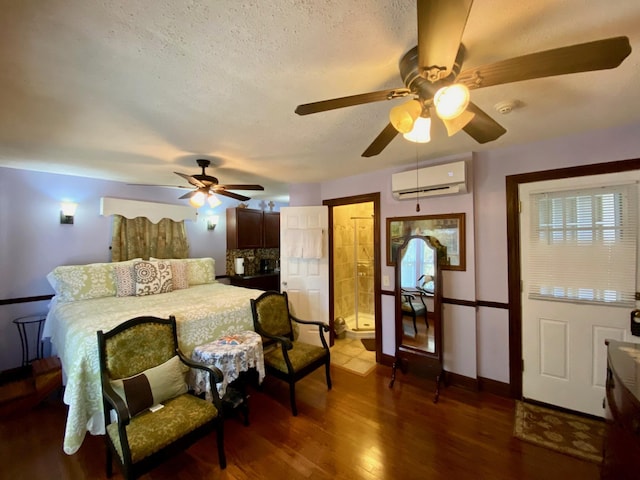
(139, 238)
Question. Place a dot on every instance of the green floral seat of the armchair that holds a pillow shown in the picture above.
(149, 432)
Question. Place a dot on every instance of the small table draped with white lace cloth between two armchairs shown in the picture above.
(232, 354)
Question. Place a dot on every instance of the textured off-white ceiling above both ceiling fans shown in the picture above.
(132, 90)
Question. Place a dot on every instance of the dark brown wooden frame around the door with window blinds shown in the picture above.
(513, 250)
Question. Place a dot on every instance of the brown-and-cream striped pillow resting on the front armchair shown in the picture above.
(152, 386)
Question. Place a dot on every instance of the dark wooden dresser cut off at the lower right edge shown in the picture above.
(622, 442)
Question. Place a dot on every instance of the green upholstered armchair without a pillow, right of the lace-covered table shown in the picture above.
(291, 360)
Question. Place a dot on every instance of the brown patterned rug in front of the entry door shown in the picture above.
(563, 432)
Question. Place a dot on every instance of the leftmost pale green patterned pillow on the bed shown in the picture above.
(82, 282)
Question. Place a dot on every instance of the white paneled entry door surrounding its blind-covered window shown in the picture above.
(563, 347)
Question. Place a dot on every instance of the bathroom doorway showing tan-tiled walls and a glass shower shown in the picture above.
(354, 270)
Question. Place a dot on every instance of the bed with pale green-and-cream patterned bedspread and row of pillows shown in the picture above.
(95, 297)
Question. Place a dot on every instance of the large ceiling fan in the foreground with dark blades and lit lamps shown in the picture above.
(432, 75)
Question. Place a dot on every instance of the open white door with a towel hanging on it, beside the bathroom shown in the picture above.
(305, 277)
